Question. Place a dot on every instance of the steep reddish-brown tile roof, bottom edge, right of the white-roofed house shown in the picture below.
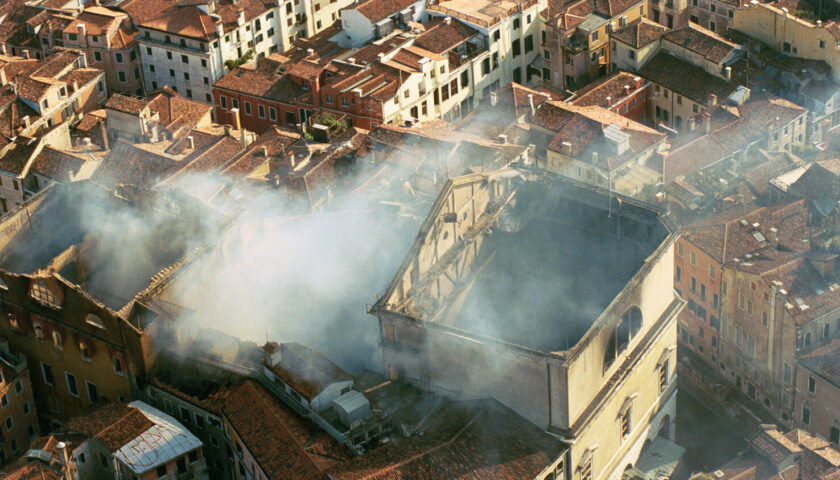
(267, 428)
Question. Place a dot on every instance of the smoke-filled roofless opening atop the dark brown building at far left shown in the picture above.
(108, 244)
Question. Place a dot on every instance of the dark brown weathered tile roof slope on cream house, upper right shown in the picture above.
(684, 78)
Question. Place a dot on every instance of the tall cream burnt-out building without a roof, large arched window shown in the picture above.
(551, 296)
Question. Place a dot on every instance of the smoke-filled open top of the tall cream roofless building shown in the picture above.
(548, 264)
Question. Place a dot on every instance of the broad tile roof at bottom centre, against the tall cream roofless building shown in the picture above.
(477, 441)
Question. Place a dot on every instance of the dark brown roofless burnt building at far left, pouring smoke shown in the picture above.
(72, 260)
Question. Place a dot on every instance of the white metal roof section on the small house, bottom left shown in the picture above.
(164, 441)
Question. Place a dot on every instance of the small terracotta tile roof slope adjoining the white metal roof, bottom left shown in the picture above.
(114, 424)
